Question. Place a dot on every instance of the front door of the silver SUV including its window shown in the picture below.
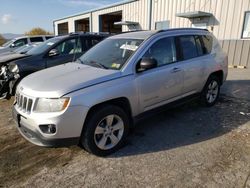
(164, 83)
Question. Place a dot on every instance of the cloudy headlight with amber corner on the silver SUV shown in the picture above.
(51, 105)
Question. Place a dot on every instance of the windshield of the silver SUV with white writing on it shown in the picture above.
(111, 53)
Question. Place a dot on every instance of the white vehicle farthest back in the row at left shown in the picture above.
(21, 41)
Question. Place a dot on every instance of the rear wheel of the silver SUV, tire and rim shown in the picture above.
(211, 91)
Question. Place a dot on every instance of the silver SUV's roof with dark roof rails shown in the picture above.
(146, 34)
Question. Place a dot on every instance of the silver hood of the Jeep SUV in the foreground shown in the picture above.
(60, 80)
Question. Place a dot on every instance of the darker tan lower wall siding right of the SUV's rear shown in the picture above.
(238, 52)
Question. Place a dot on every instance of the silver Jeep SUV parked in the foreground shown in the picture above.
(95, 100)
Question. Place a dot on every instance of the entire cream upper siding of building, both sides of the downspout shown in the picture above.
(227, 21)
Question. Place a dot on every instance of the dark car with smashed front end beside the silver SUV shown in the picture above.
(55, 51)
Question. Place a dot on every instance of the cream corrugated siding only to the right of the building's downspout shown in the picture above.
(228, 14)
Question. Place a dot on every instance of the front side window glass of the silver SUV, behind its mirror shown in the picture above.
(163, 51)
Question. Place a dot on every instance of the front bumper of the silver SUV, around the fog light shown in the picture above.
(68, 126)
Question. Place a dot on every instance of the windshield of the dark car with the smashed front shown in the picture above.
(43, 46)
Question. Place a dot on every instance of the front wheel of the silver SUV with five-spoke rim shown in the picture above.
(100, 135)
